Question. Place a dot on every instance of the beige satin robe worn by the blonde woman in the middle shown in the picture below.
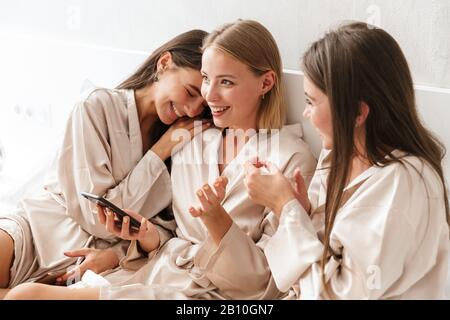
(191, 265)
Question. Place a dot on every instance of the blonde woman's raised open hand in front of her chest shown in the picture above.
(213, 215)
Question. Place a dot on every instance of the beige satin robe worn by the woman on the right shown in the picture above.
(390, 239)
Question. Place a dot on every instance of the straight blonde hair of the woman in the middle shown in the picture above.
(251, 43)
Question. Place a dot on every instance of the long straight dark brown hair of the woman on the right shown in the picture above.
(361, 63)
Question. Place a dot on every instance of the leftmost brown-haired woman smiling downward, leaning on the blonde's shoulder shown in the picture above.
(115, 145)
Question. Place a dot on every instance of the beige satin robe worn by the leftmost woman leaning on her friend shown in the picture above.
(101, 154)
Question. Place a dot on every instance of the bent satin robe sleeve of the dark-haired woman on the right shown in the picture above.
(374, 239)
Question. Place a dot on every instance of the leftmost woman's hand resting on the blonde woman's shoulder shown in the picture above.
(180, 133)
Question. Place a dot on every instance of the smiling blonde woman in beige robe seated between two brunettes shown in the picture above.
(242, 73)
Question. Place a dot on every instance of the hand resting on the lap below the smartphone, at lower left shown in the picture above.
(97, 260)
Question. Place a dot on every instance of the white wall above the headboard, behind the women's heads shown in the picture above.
(422, 27)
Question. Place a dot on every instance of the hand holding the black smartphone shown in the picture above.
(147, 236)
